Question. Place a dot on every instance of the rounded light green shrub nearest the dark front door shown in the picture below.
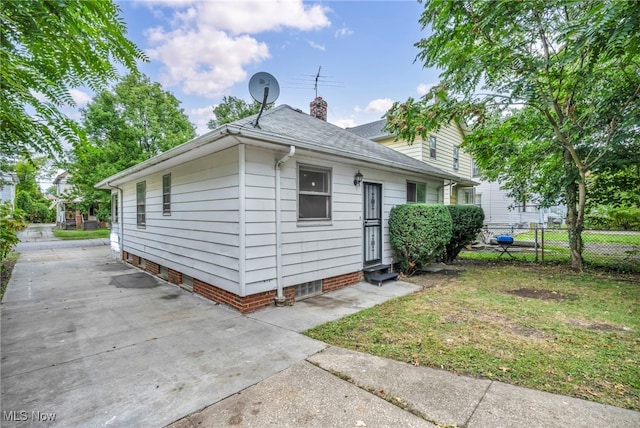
(418, 234)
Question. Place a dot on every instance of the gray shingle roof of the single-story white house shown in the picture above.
(315, 134)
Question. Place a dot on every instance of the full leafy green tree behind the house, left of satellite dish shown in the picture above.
(125, 126)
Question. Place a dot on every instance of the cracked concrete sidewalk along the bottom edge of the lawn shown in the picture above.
(342, 388)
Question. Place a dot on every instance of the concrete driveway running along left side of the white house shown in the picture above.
(98, 343)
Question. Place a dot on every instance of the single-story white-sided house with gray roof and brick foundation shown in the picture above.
(248, 214)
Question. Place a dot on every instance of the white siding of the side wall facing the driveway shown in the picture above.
(200, 237)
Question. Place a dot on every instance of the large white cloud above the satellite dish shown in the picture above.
(209, 45)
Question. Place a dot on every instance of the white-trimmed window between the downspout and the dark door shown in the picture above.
(314, 193)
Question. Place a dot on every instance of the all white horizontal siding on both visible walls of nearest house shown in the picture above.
(201, 237)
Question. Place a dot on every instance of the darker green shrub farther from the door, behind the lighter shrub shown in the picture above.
(467, 222)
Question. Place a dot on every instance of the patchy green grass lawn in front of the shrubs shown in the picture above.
(537, 326)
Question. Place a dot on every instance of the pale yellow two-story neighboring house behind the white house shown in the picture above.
(441, 150)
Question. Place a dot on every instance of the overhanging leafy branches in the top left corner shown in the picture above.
(47, 48)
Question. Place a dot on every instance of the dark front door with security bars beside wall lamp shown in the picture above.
(372, 223)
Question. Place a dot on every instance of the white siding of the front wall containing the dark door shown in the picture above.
(312, 251)
